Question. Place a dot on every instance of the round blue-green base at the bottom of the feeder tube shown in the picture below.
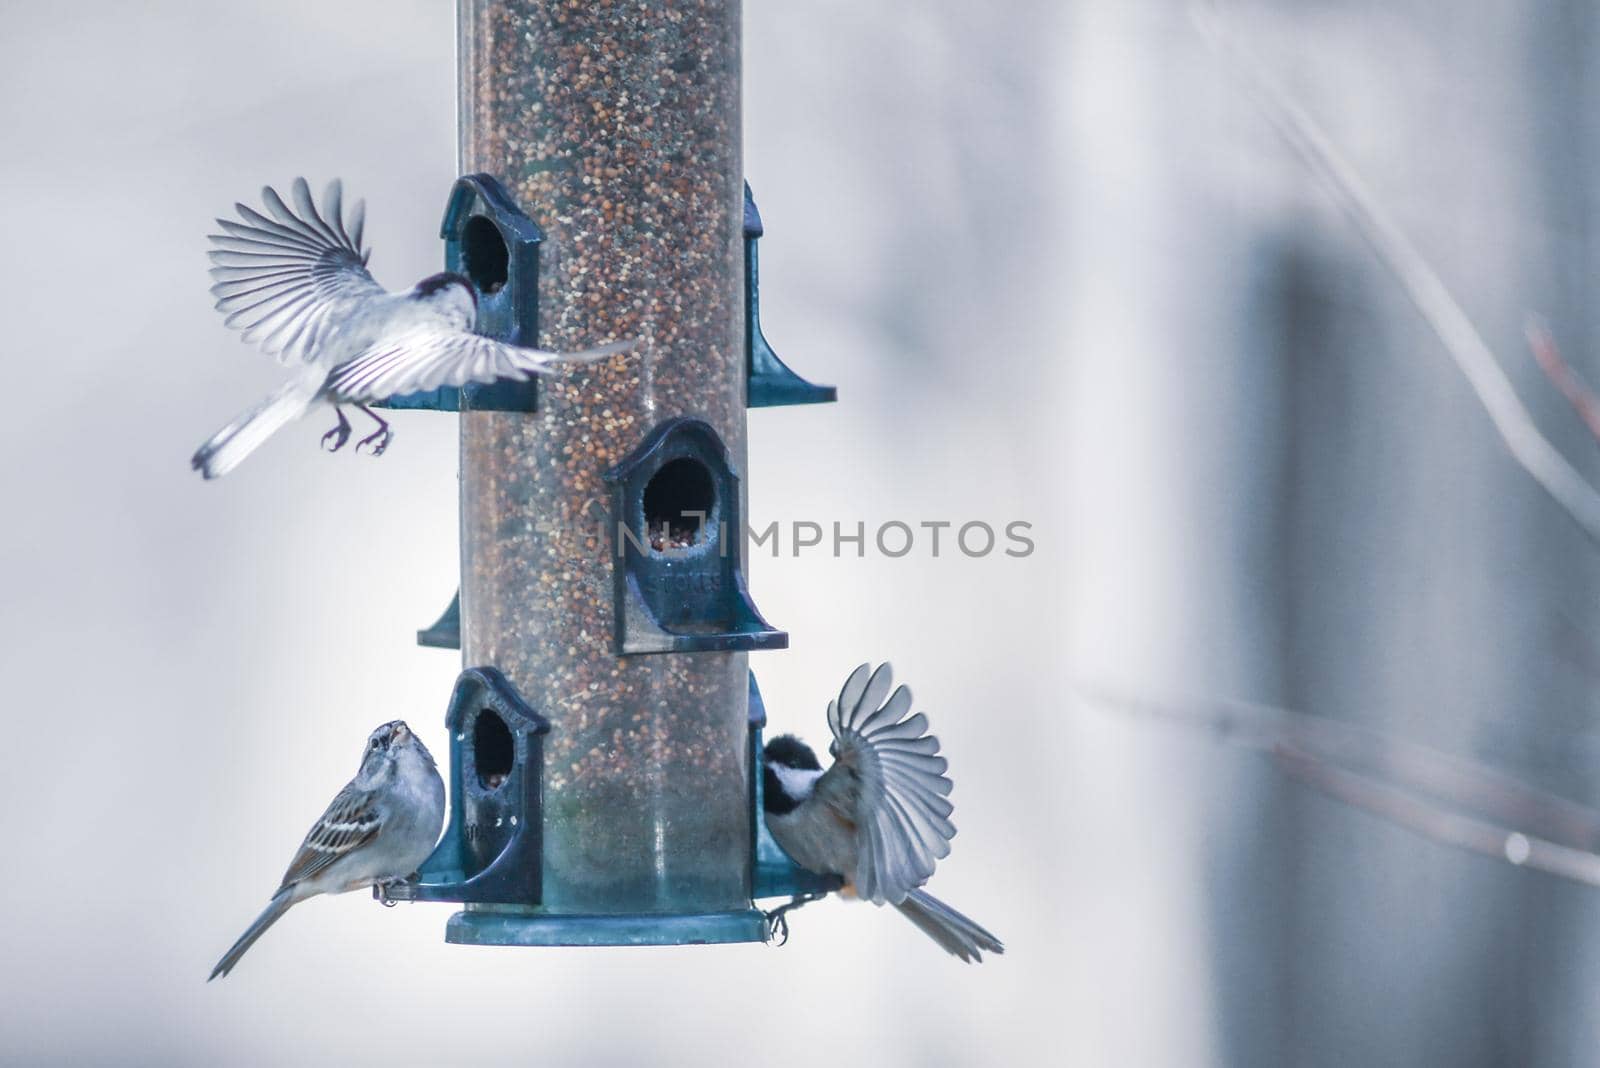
(494, 927)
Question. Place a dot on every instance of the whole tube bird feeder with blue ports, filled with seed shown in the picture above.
(606, 731)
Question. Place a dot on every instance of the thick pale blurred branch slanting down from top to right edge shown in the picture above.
(1466, 348)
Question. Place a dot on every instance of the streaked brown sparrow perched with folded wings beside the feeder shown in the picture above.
(378, 831)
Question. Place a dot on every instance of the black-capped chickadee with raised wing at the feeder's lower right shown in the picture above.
(878, 818)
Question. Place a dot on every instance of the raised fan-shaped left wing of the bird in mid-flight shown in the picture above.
(292, 279)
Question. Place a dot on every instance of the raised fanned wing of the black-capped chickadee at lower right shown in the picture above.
(890, 778)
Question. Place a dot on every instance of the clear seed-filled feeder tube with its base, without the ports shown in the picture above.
(617, 127)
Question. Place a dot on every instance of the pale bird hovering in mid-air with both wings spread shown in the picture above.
(298, 285)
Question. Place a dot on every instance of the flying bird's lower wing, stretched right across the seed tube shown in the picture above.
(428, 357)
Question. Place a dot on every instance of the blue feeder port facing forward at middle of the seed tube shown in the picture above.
(679, 544)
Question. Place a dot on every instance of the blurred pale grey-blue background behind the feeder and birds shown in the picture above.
(1063, 273)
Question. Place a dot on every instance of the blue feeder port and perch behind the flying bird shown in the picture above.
(497, 247)
